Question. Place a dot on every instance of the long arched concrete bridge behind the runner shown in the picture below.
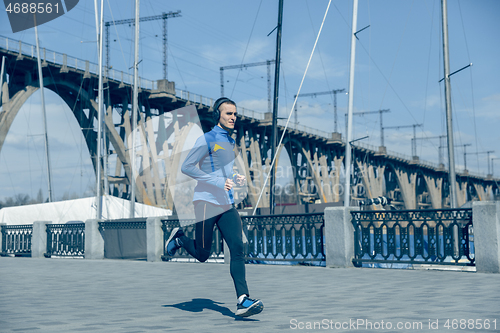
(316, 157)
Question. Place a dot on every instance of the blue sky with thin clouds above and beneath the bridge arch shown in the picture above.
(399, 62)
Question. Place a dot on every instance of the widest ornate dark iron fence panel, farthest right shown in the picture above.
(442, 237)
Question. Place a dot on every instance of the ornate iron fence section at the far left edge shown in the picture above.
(16, 240)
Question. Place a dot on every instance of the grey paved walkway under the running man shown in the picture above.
(76, 295)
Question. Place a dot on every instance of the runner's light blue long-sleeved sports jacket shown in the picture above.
(210, 162)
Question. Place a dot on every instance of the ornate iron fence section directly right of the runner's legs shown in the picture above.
(290, 238)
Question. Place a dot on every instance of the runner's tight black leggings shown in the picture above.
(229, 222)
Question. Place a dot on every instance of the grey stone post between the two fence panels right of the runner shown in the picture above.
(339, 237)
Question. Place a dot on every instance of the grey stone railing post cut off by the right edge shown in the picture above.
(486, 224)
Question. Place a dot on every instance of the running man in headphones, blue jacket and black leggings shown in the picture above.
(210, 162)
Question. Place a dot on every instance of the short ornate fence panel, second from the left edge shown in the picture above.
(65, 240)
